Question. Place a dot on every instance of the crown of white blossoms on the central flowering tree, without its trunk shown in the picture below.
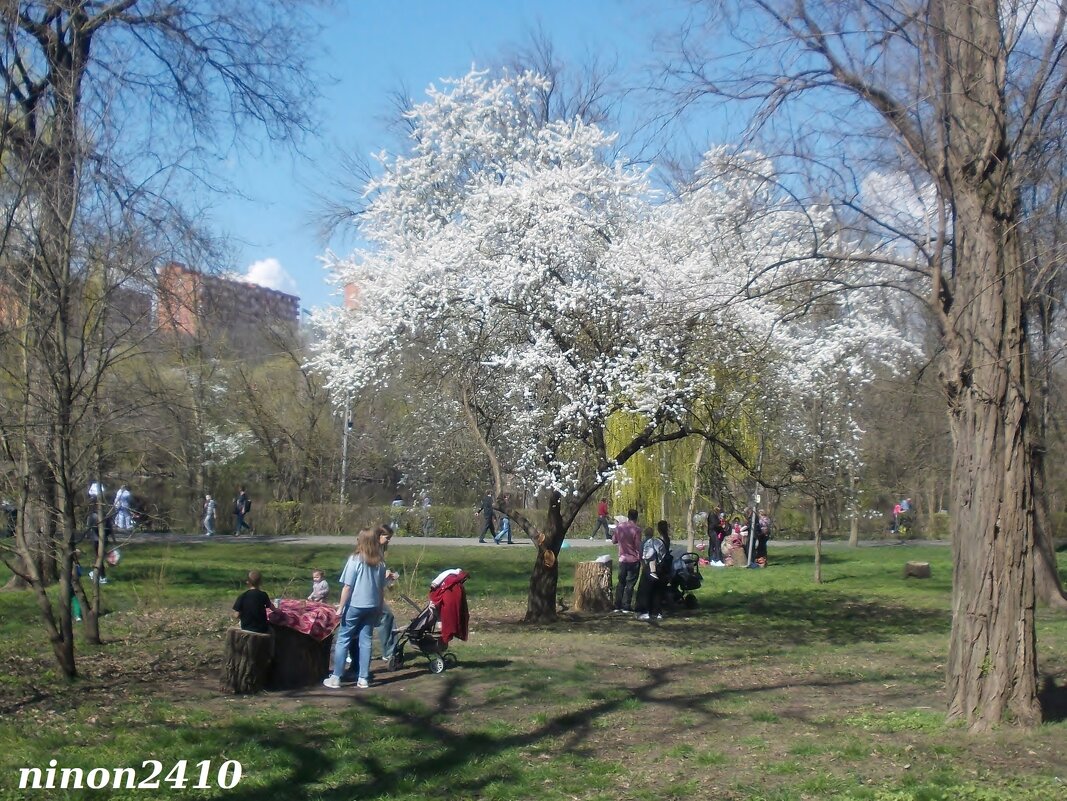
(513, 264)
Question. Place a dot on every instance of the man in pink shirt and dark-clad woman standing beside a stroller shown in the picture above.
(645, 564)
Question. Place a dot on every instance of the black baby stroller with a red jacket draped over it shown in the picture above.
(442, 619)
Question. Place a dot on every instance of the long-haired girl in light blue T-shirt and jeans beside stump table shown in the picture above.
(362, 600)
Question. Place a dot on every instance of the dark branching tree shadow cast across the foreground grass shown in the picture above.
(442, 760)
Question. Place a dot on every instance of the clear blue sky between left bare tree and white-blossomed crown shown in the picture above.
(371, 49)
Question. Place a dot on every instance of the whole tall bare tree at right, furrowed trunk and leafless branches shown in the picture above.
(961, 94)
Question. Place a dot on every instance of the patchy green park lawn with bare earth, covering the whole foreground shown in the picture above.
(774, 688)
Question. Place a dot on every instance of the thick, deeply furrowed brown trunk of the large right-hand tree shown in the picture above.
(993, 655)
